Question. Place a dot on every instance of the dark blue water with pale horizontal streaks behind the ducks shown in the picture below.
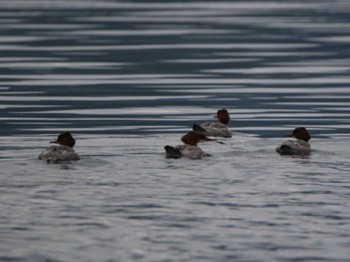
(71, 62)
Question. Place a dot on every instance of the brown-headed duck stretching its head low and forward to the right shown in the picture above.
(189, 148)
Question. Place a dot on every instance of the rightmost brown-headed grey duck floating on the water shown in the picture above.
(297, 146)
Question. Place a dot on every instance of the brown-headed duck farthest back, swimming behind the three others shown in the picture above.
(216, 129)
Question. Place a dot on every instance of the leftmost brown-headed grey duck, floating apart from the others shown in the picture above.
(62, 150)
